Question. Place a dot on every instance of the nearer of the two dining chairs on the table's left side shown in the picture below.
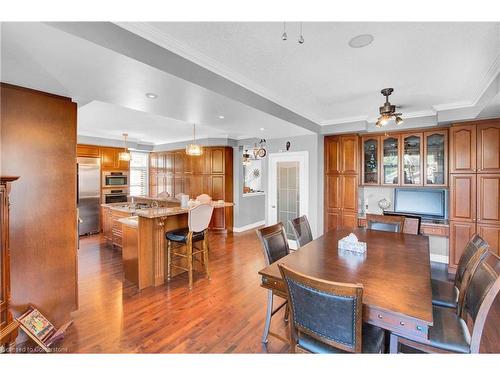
(275, 246)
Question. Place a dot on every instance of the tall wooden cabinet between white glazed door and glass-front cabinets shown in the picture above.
(341, 181)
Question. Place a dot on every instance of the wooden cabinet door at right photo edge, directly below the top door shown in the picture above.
(488, 195)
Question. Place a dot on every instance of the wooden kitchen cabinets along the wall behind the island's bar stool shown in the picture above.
(211, 173)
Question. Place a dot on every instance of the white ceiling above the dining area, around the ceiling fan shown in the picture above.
(430, 65)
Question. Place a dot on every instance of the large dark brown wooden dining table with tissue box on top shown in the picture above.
(394, 271)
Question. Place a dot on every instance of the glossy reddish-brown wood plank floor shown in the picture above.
(221, 315)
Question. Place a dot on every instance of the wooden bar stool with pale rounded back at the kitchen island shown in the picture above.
(197, 231)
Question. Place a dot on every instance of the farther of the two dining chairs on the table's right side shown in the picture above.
(446, 293)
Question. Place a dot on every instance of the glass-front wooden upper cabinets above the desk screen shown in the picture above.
(405, 159)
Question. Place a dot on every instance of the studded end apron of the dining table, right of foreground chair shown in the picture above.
(404, 326)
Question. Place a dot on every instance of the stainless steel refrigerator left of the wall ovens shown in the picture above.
(89, 188)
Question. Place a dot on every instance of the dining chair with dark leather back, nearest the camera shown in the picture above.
(327, 317)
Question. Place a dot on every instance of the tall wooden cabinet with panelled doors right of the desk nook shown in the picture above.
(474, 185)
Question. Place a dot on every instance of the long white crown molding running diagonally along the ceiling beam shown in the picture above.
(146, 30)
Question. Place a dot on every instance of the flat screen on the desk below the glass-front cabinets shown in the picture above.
(427, 203)
